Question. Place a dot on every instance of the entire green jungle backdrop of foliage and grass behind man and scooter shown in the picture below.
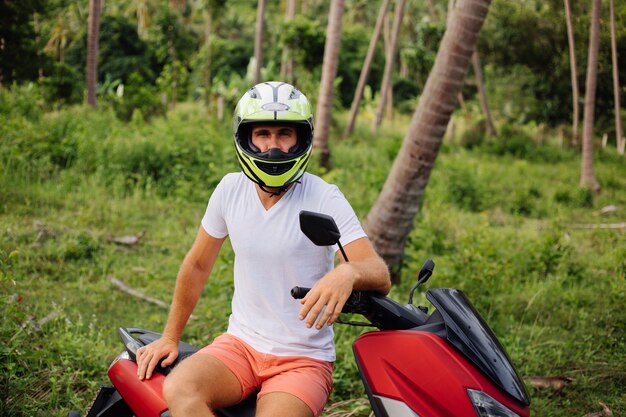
(100, 190)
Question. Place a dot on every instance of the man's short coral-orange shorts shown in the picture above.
(308, 379)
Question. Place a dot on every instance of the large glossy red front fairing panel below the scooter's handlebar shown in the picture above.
(425, 372)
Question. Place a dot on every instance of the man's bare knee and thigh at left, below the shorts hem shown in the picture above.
(206, 377)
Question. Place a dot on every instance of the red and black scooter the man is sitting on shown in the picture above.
(446, 364)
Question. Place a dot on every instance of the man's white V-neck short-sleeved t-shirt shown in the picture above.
(272, 255)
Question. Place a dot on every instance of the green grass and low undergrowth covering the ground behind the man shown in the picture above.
(498, 225)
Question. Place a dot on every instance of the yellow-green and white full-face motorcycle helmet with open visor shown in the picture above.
(273, 103)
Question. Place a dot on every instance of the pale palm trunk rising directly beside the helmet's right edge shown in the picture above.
(327, 84)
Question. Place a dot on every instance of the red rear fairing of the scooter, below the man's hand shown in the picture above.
(145, 397)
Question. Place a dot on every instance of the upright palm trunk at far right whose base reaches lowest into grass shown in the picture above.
(588, 177)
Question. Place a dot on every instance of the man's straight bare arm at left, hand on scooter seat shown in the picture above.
(192, 276)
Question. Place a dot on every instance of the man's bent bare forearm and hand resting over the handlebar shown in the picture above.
(365, 271)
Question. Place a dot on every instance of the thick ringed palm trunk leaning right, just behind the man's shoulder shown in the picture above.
(391, 218)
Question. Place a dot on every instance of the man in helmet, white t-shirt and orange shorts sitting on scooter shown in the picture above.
(274, 344)
